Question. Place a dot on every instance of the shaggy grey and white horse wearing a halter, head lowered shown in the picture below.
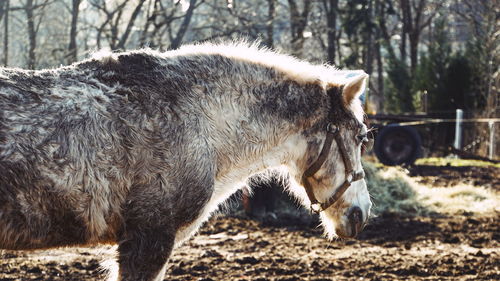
(139, 148)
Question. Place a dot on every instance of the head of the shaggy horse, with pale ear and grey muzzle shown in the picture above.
(333, 178)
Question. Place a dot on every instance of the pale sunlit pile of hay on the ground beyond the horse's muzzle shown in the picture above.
(392, 190)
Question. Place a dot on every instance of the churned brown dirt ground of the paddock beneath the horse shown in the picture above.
(392, 247)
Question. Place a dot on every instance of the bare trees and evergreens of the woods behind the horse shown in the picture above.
(432, 55)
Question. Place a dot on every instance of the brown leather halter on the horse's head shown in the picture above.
(333, 132)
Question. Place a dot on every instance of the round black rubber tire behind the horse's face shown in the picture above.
(397, 145)
